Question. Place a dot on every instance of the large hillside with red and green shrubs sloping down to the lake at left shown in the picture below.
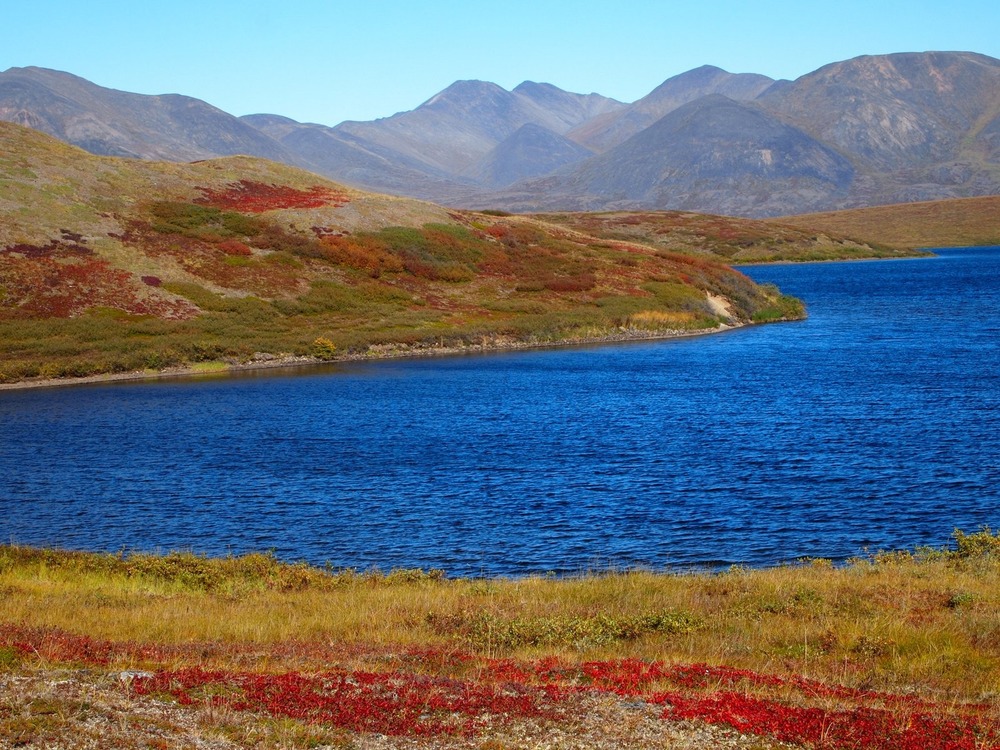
(111, 265)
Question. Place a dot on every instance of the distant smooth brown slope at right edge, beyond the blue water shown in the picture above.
(961, 222)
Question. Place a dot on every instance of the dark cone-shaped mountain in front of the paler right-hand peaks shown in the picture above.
(714, 150)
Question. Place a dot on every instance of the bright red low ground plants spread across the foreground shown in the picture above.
(466, 691)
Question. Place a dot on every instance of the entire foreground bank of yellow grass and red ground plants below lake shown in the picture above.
(897, 650)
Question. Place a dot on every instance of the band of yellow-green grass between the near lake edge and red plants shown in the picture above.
(928, 622)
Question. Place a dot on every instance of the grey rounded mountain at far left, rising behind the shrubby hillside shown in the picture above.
(116, 123)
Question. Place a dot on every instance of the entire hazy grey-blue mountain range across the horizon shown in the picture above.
(867, 131)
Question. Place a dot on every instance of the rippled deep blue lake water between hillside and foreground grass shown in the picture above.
(874, 424)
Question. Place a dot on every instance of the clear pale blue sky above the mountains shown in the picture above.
(331, 61)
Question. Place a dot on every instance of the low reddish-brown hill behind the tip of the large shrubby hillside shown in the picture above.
(729, 239)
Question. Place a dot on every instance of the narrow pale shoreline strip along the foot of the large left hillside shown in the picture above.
(375, 353)
